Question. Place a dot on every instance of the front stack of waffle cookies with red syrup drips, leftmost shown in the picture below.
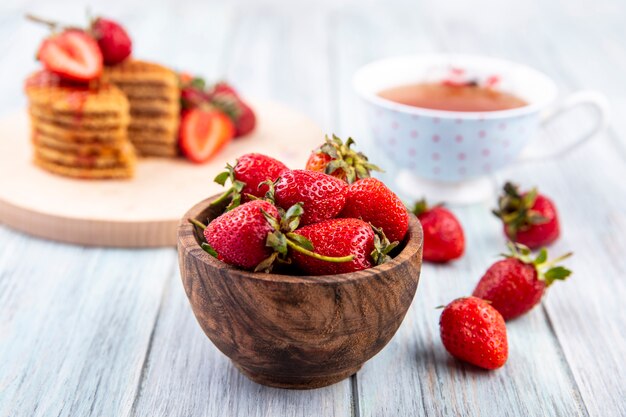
(80, 131)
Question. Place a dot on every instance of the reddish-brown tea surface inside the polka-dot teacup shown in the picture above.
(453, 97)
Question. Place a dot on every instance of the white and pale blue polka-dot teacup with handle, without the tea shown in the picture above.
(449, 154)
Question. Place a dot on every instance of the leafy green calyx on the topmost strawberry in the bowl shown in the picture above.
(354, 164)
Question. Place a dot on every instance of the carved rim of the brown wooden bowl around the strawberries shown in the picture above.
(189, 246)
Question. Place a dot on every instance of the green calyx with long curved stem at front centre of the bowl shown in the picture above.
(283, 239)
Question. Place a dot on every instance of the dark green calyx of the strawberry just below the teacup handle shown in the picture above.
(515, 209)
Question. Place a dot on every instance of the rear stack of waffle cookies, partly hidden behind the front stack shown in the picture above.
(154, 96)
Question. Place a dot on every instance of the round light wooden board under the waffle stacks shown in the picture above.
(144, 211)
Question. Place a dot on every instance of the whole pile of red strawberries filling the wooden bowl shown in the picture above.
(330, 218)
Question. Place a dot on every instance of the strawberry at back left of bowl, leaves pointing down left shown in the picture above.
(247, 177)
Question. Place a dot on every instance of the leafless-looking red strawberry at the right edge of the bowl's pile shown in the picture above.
(370, 200)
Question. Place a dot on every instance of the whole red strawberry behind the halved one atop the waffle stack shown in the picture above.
(113, 40)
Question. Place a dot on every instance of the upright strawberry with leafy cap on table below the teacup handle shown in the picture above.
(528, 218)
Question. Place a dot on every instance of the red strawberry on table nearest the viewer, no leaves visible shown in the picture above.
(474, 331)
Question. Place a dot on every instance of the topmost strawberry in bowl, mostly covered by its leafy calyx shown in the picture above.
(337, 159)
